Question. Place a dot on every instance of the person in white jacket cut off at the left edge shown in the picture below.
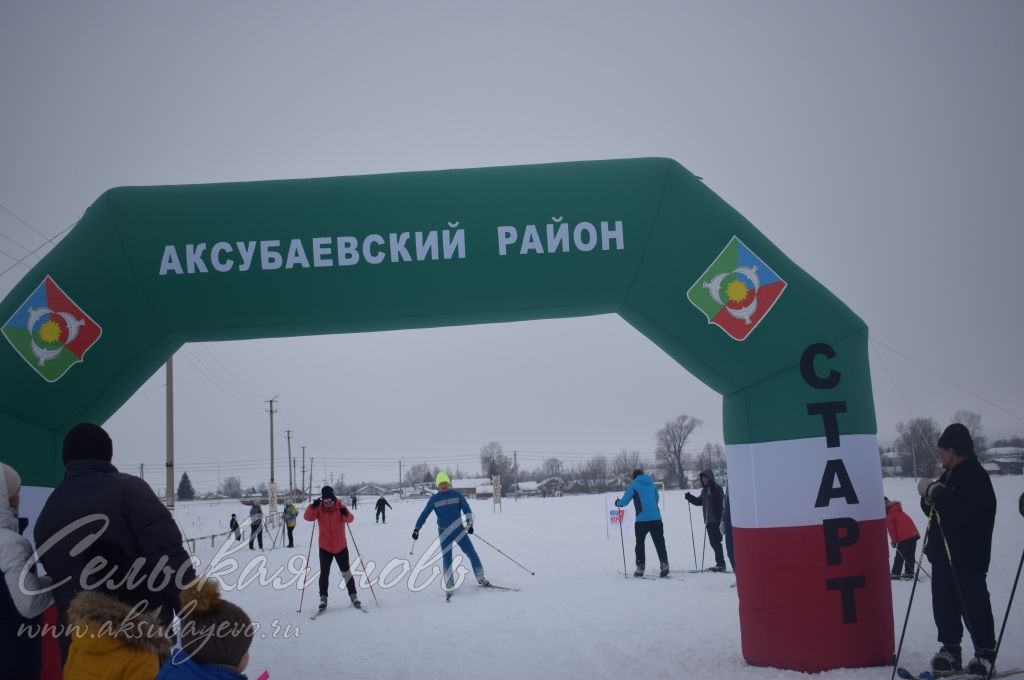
(26, 596)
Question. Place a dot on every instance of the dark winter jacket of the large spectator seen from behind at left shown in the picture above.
(139, 524)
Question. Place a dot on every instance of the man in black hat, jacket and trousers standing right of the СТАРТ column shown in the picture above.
(962, 507)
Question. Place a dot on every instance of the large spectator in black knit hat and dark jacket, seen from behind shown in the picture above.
(94, 492)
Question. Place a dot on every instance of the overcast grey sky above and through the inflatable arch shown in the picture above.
(879, 145)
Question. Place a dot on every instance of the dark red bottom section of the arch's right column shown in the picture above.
(789, 618)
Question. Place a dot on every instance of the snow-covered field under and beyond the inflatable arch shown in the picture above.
(578, 618)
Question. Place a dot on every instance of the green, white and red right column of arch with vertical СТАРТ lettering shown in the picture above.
(809, 522)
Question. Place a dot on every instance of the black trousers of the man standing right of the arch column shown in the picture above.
(949, 613)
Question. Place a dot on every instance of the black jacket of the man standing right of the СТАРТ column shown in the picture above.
(967, 512)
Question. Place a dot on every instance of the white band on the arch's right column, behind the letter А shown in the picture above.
(776, 484)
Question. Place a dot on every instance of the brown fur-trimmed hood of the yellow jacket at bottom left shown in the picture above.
(112, 623)
